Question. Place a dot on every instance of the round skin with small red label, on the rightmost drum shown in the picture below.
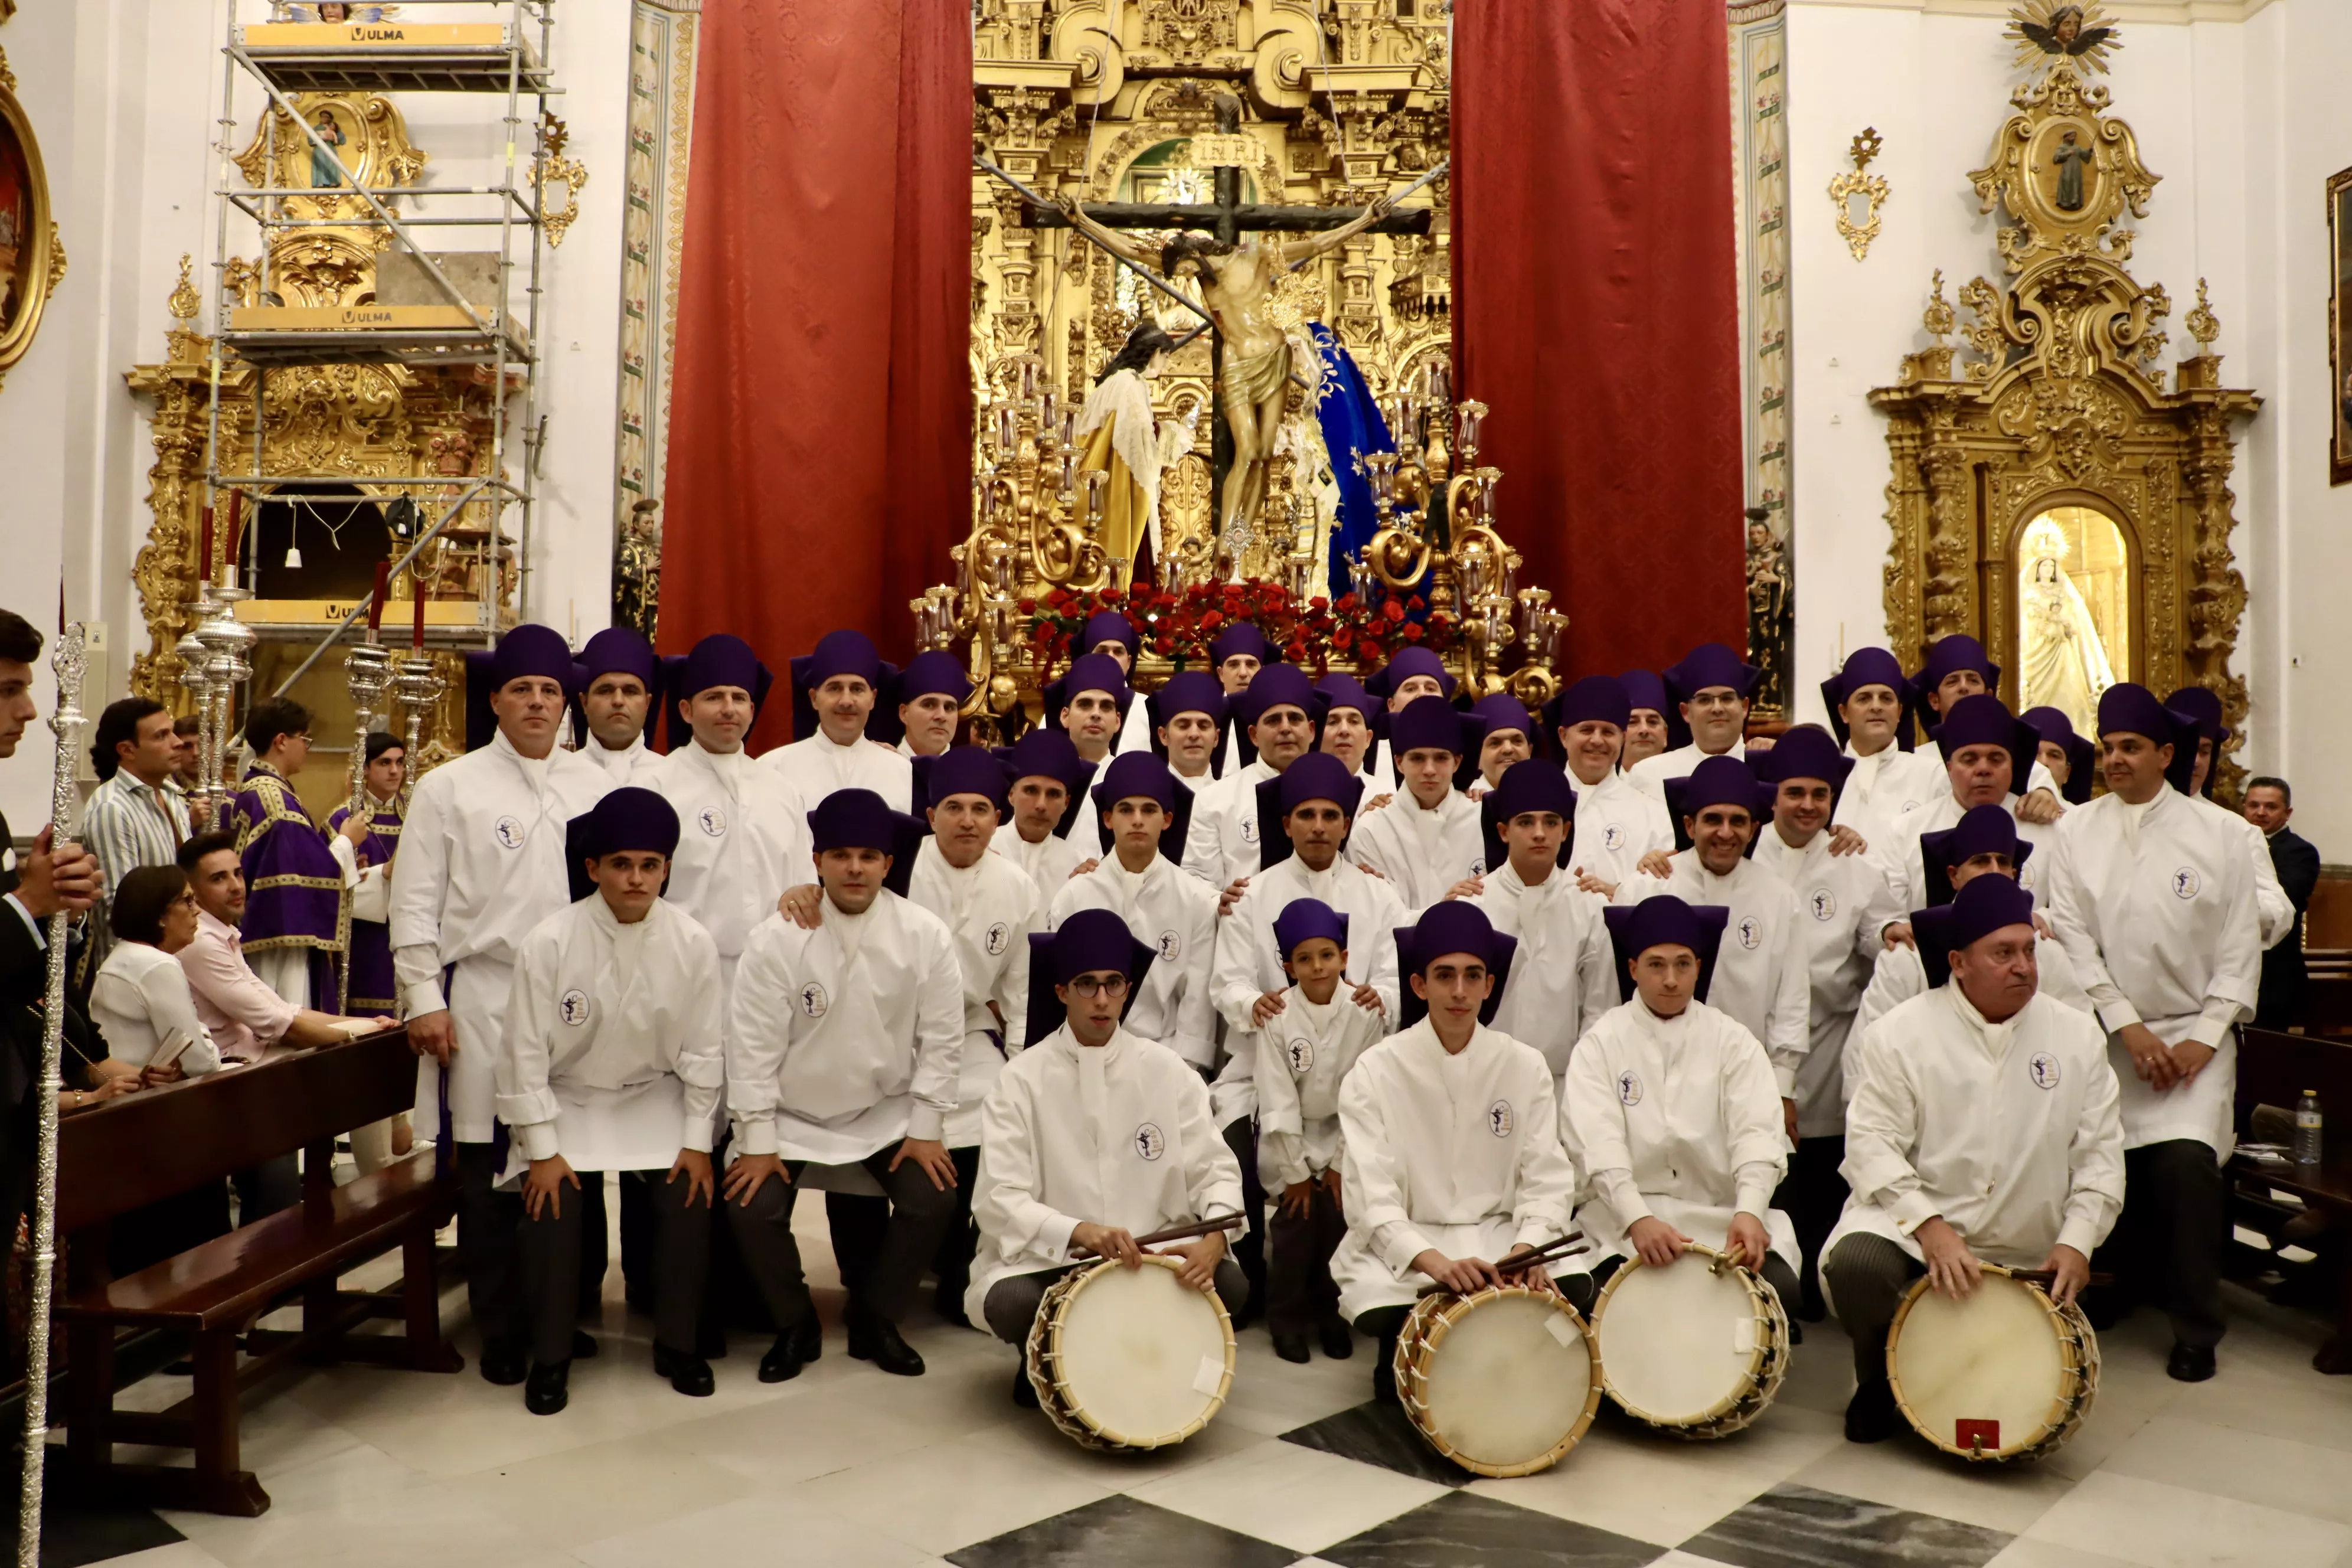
(1982, 1369)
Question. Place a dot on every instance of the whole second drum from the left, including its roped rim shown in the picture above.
(1504, 1381)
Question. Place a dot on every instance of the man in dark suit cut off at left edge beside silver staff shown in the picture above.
(34, 887)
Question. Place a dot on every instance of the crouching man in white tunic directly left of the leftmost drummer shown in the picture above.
(846, 1047)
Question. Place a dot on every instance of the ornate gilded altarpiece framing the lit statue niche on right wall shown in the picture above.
(2057, 401)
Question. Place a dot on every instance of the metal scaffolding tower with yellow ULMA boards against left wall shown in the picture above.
(488, 330)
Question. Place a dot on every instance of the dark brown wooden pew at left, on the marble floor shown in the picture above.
(161, 1141)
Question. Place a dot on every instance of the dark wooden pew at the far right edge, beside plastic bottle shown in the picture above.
(2276, 1071)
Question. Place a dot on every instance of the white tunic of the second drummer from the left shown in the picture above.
(1450, 1153)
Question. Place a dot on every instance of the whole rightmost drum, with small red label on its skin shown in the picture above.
(2007, 1374)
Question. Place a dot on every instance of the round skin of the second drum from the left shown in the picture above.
(1509, 1381)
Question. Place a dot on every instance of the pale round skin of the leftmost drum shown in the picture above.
(1140, 1355)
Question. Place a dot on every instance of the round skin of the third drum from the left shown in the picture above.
(1678, 1343)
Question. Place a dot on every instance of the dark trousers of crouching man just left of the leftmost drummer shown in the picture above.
(881, 1273)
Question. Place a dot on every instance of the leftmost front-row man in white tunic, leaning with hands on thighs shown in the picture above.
(613, 1064)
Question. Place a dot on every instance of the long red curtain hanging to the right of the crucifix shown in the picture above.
(1598, 316)
